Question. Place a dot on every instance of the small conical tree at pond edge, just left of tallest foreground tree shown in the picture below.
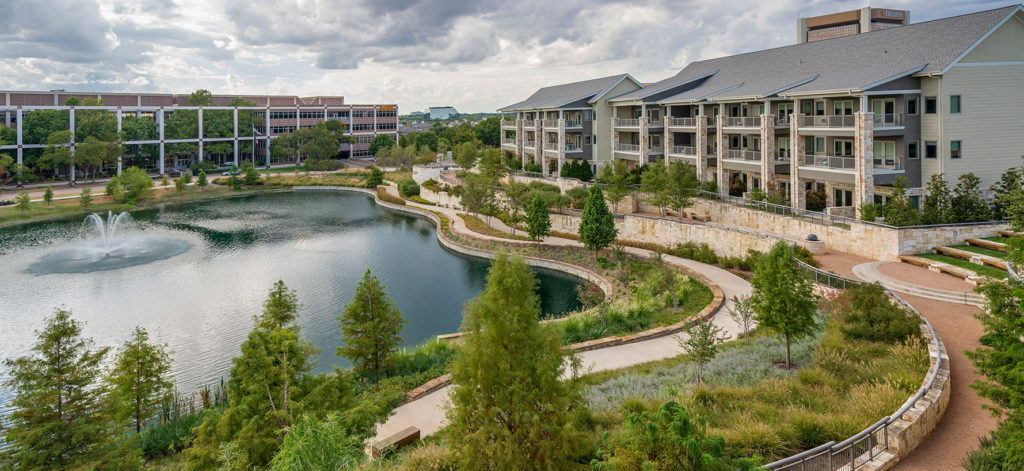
(371, 328)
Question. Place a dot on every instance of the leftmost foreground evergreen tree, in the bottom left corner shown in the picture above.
(59, 419)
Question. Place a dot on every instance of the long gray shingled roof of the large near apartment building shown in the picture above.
(850, 63)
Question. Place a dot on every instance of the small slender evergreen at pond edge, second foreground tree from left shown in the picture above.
(140, 379)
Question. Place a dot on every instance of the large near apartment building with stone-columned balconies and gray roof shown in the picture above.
(847, 115)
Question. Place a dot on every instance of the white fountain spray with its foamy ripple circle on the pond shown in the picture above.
(108, 246)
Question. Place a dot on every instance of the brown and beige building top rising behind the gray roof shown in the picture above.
(849, 23)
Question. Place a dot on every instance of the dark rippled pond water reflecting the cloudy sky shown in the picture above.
(200, 295)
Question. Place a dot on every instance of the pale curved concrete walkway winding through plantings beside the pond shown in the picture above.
(428, 413)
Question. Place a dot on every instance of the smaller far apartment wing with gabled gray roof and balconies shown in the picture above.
(565, 122)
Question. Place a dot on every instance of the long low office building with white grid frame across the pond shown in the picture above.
(275, 115)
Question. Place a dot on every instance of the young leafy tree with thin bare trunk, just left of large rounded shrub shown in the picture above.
(784, 297)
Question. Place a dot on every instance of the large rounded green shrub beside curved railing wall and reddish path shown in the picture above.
(873, 316)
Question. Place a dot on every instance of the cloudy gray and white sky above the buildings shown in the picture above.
(476, 56)
